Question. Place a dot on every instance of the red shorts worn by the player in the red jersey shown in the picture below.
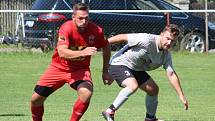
(56, 78)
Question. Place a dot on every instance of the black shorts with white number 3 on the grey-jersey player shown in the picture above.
(120, 73)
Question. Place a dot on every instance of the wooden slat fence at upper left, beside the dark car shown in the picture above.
(8, 20)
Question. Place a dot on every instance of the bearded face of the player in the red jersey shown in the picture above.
(81, 19)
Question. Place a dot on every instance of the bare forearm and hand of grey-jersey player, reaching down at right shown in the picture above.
(175, 82)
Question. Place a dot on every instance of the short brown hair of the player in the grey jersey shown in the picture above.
(173, 29)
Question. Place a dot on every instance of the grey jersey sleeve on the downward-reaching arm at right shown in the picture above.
(168, 66)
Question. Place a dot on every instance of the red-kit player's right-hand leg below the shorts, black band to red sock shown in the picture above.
(85, 91)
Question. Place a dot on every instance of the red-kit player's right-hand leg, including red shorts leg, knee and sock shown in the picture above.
(81, 81)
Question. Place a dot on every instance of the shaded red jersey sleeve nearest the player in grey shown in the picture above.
(101, 41)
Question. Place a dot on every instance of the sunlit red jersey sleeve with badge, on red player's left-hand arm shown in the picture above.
(63, 35)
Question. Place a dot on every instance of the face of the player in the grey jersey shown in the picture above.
(167, 40)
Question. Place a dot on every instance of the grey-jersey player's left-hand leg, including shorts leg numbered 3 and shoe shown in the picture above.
(124, 77)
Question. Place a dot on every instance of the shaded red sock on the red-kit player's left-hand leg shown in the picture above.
(37, 112)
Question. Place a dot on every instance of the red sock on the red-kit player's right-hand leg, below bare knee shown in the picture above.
(79, 109)
